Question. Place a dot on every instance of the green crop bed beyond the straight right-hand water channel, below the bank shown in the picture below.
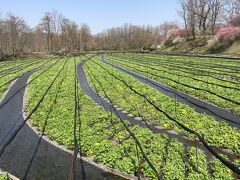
(213, 80)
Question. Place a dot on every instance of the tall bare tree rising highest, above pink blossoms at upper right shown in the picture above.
(201, 15)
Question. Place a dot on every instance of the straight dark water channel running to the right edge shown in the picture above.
(199, 105)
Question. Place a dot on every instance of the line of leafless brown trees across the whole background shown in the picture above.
(56, 33)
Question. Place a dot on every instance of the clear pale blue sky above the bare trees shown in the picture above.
(98, 14)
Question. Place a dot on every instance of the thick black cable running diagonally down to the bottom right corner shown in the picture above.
(227, 163)
